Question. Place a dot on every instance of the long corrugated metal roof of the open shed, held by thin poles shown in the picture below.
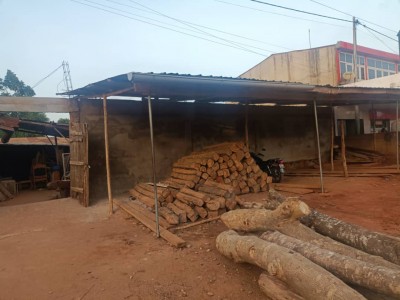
(216, 89)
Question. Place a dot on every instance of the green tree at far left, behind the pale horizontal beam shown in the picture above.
(12, 86)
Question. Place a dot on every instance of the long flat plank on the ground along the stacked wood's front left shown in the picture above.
(173, 239)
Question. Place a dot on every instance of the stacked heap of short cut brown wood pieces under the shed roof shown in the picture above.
(204, 184)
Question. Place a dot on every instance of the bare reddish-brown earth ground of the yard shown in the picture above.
(58, 250)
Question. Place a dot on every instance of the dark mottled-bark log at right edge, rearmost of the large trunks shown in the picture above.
(356, 236)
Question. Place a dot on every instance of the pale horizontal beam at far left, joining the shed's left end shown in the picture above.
(38, 104)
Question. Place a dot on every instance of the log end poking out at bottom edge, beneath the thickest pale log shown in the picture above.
(276, 289)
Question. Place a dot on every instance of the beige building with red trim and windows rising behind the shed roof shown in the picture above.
(327, 65)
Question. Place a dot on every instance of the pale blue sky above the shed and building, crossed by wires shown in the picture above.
(37, 35)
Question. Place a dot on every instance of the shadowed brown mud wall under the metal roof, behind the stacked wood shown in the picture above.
(179, 128)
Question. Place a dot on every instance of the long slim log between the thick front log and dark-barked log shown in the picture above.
(376, 278)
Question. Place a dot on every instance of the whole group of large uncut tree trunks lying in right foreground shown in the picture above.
(308, 255)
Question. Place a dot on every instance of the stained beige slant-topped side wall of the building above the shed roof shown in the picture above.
(312, 66)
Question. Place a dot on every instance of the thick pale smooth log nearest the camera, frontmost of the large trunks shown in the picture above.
(301, 275)
